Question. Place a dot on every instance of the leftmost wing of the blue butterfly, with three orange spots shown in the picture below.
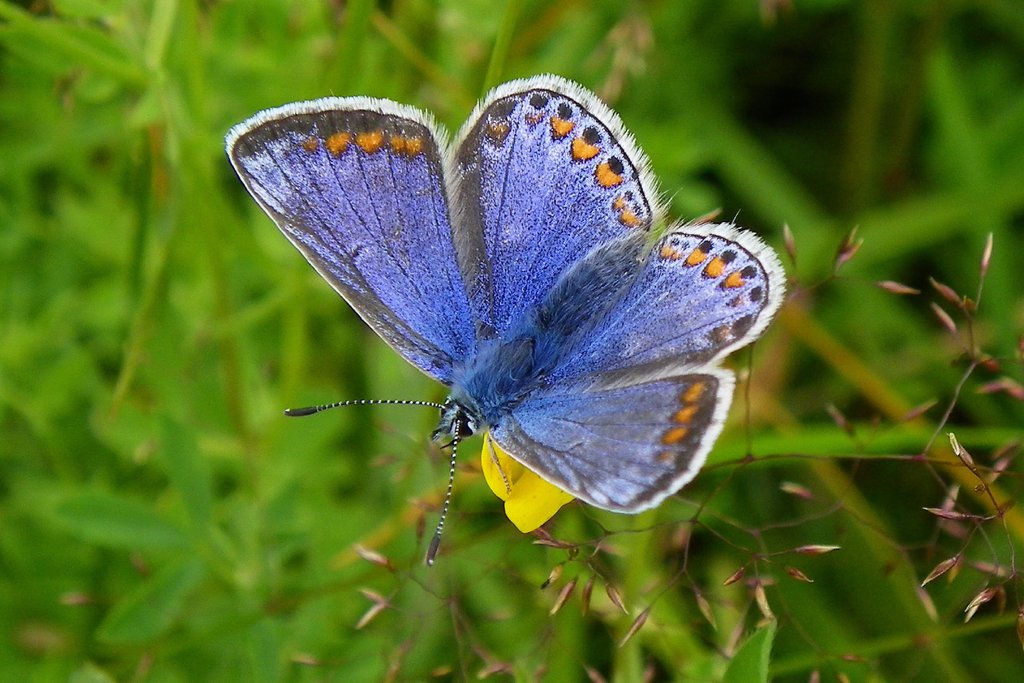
(359, 187)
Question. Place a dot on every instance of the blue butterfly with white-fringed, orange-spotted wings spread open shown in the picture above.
(521, 268)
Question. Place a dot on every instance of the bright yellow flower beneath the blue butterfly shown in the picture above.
(530, 501)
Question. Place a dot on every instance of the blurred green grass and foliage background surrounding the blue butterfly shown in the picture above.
(161, 521)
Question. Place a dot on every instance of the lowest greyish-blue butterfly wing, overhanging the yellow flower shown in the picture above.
(620, 448)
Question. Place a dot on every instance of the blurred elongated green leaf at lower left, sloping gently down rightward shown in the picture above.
(110, 521)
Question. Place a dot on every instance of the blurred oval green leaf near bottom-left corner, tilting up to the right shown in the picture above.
(152, 608)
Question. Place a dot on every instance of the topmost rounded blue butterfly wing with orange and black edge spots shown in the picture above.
(546, 173)
